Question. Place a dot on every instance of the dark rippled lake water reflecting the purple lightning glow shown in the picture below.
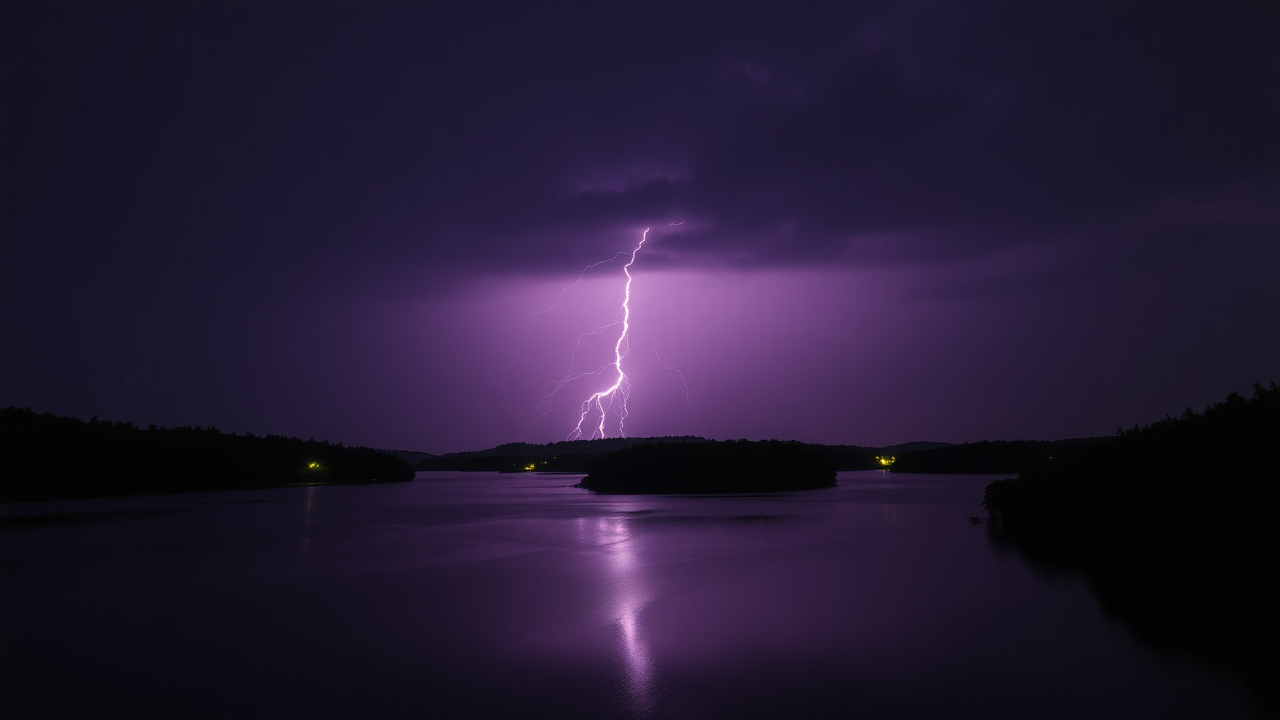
(518, 596)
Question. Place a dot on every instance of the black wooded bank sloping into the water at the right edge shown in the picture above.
(1176, 527)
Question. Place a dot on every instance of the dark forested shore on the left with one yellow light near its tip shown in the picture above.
(45, 457)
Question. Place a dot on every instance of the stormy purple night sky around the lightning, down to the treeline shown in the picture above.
(950, 221)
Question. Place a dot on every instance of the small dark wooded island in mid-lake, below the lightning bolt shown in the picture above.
(711, 468)
